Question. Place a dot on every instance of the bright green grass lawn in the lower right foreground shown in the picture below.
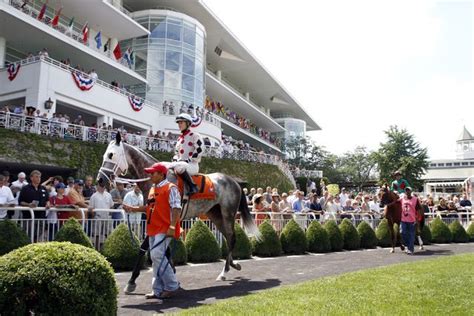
(431, 287)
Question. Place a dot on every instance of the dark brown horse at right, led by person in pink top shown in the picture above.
(393, 214)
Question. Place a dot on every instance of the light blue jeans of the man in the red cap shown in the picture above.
(164, 278)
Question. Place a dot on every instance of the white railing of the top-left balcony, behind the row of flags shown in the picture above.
(33, 8)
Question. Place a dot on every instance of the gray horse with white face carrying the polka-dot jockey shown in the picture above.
(121, 158)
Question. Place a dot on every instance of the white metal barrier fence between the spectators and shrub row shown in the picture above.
(106, 220)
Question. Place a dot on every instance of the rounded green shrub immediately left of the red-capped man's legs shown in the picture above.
(120, 250)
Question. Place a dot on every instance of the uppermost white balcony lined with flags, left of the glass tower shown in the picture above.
(25, 33)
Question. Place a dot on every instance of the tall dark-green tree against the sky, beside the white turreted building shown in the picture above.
(401, 152)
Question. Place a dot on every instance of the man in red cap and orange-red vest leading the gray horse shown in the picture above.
(163, 224)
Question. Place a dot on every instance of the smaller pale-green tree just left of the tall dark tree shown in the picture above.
(358, 166)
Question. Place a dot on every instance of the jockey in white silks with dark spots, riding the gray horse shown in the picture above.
(188, 152)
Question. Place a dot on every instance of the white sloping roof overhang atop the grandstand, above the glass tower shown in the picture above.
(237, 65)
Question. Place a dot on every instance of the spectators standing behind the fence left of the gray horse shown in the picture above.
(70, 195)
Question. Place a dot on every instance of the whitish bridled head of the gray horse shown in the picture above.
(114, 162)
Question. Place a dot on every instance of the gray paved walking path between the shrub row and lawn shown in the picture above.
(257, 274)
